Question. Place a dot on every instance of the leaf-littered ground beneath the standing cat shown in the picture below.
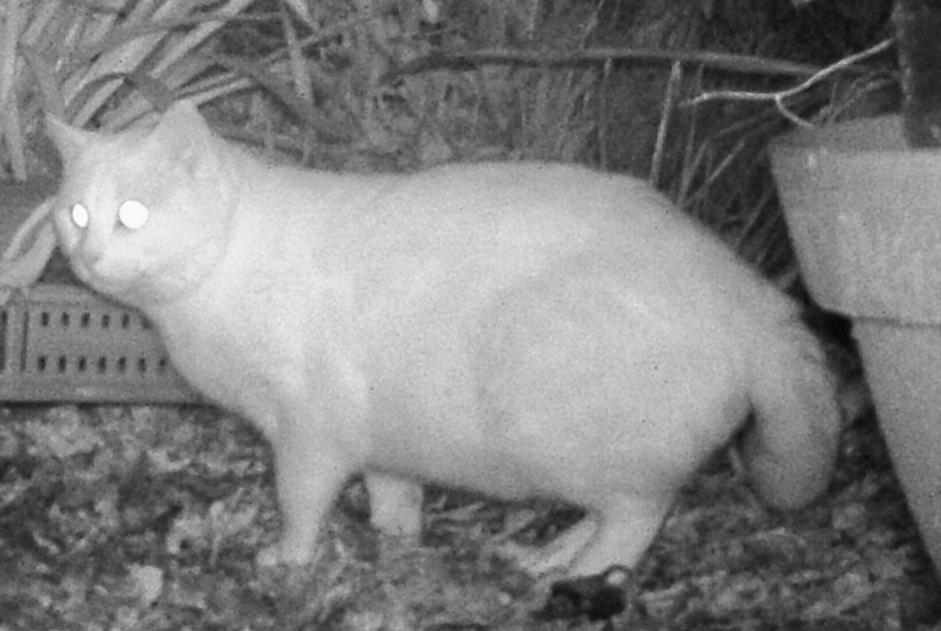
(149, 517)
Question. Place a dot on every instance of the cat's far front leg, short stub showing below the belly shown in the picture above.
(394, 505)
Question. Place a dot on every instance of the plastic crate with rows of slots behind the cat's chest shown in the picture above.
(63, 343)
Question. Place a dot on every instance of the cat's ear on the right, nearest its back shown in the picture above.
(184, 139)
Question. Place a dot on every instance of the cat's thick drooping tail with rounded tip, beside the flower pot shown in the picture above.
(791, 448)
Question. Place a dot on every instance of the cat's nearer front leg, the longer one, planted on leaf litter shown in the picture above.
(308, 480)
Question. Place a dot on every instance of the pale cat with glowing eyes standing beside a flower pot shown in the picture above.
(518, 329)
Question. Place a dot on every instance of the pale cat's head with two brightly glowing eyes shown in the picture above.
(144, 215)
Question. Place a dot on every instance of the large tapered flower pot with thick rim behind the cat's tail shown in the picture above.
(864, 213)
